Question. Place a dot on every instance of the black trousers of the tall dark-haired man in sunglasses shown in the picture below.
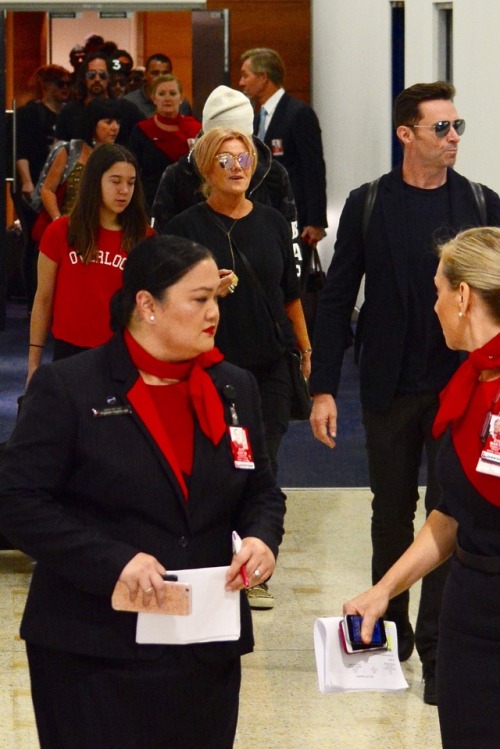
(395, 440)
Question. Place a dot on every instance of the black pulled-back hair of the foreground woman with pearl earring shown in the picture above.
(154, 265)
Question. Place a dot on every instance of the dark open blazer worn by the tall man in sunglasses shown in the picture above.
(382, 325)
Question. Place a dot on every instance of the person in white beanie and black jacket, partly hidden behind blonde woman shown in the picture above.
(180, 184)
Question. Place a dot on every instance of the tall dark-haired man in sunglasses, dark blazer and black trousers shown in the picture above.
(404, 361)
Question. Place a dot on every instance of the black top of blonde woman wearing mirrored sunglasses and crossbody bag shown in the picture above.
(246, 333)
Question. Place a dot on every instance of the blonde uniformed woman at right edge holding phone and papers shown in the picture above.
(466, 523)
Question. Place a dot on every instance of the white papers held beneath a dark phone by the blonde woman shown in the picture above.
(378, 671)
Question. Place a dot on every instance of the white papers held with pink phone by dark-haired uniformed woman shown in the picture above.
(215, 614)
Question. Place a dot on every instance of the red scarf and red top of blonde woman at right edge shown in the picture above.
(466, 426)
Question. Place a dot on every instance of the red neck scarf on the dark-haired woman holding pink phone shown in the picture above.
(203, 394)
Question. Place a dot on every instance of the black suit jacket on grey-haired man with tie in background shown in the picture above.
(294, 137)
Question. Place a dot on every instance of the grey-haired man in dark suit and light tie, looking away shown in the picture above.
(291, 130)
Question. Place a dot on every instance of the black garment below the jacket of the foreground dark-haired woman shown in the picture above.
(175, 702)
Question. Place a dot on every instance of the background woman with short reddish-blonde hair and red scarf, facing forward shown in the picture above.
(162, 139)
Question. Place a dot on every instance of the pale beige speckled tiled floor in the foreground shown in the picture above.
(325, 559)
